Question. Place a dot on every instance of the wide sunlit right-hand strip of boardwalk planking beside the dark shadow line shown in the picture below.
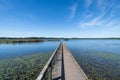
(72, 69)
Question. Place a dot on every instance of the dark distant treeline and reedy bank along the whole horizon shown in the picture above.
(42, 39)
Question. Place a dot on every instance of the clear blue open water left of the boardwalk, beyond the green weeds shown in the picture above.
(11, 50)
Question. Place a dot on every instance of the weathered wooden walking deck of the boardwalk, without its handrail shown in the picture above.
(66, 67)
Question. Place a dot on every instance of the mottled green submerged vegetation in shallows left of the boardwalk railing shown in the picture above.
(23, 67)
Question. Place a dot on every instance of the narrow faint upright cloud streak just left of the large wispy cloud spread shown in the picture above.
(73, 9)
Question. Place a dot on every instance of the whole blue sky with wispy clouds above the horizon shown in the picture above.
(60, 18)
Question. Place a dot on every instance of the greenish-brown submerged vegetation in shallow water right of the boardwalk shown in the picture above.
(100, 65)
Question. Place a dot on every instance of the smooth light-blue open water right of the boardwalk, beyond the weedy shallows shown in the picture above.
(110, 46)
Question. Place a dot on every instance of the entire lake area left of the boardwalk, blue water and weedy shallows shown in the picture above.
(24, 61)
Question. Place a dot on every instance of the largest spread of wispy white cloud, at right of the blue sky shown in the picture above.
(106, 16)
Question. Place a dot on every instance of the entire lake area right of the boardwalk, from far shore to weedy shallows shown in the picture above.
(100, 59)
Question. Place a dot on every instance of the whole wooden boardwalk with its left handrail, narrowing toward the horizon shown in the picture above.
(62, 66)
